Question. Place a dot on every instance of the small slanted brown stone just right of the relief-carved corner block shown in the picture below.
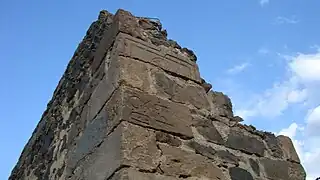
(208, 130)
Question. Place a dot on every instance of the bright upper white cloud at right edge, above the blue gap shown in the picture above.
(301, 86)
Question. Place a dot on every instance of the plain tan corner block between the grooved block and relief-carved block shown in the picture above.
(117, 70)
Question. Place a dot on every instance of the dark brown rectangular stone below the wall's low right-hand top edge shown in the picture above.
(249, 144)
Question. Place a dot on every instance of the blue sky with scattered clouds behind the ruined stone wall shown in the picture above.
(264, 54)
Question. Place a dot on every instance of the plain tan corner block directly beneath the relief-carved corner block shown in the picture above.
(128, 145)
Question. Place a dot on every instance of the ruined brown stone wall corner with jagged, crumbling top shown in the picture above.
(131, 105)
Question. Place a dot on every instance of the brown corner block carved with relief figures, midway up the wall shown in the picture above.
(140, 108)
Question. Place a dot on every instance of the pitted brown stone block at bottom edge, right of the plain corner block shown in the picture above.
(179, 163)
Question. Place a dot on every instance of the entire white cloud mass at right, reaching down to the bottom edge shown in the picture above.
(299, 85)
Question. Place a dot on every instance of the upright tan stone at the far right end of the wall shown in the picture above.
(288, 148)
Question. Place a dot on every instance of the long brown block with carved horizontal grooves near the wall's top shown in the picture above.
(161, 57)
